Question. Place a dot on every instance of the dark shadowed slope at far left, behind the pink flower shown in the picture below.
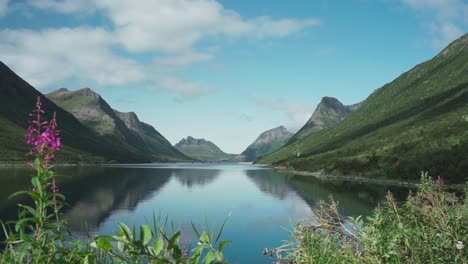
(80, 144)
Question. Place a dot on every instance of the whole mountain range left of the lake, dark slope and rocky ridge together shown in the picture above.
(87, 137)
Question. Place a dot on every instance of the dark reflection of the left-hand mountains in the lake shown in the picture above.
(93, 193)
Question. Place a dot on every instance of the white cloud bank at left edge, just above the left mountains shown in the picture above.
(50, 56)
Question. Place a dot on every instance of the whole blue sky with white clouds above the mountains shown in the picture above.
(223, 70)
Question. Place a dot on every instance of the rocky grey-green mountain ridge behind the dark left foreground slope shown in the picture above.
(126, 129)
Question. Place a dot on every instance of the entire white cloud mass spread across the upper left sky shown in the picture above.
(170, 31)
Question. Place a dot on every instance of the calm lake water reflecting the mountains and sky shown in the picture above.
(260, 200)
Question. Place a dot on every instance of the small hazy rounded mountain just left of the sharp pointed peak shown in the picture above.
(268, 142)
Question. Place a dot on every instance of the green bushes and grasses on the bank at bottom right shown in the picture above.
(430, 227)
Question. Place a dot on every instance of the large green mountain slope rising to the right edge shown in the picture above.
(418, 122)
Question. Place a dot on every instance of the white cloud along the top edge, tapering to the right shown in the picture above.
(175, 26)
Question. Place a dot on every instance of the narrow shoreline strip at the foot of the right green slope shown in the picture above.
(359, 179)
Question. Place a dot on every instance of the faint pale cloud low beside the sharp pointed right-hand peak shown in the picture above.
(297, 113)
